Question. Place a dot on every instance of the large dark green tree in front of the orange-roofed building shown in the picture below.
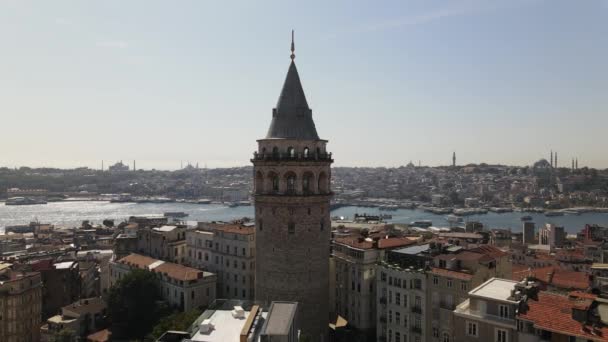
(134, 305)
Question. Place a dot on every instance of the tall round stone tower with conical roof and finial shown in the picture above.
(292, 194)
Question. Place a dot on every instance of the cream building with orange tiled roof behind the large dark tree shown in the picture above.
(182, 287)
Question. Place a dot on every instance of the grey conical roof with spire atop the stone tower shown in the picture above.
(292, 118)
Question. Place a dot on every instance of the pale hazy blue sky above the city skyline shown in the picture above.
(163, 82)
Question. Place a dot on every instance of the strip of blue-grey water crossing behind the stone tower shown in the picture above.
(71, 214)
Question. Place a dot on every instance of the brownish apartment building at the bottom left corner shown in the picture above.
(20, 305)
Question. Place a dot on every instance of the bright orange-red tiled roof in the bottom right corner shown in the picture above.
(553, 312)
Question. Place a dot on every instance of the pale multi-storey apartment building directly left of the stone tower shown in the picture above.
(227, 250)
